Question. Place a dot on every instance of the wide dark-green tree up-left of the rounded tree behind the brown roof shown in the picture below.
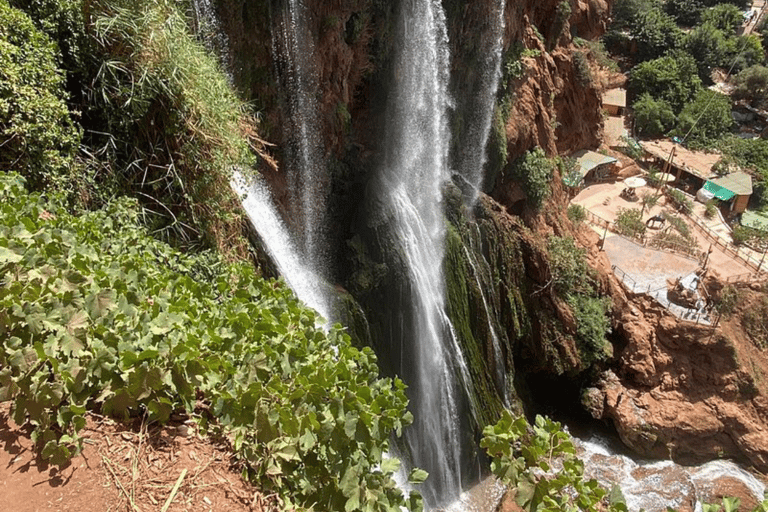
(673, 78)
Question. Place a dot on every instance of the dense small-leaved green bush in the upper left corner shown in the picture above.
(37, 136)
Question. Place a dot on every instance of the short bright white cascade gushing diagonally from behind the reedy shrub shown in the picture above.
(261, 211)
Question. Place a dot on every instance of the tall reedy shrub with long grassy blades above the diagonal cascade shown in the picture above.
(176, 125)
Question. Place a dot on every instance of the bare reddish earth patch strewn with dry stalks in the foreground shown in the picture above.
(130, 468)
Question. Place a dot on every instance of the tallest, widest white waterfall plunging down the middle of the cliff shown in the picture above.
(416, 167)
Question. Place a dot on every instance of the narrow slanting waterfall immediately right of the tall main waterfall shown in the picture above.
(472, 156)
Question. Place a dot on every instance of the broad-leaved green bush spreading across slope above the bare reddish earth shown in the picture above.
(96, 314)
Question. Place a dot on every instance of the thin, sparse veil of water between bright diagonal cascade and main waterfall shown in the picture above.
(304, 163)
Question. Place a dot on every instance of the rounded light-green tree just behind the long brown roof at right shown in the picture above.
(706, 118)
